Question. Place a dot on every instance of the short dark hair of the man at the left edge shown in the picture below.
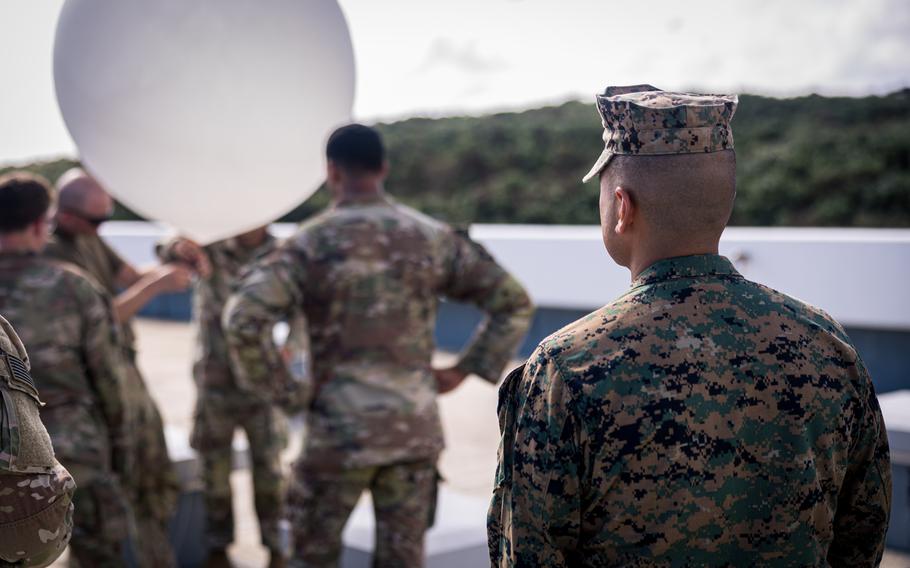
(24, 199)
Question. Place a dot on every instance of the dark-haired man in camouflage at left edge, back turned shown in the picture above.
(77, 364)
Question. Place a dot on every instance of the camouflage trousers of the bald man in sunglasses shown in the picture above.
(153, 488)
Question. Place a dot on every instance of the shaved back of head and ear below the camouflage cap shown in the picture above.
(679, 202)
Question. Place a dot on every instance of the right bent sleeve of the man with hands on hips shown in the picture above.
(474, 276)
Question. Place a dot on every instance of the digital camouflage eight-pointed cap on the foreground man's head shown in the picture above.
(643, 120)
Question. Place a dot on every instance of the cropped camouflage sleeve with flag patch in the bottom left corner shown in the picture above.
(36, 492)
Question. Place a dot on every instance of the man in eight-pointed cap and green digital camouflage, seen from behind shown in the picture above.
(700, 419)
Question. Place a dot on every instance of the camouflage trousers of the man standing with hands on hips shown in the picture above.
(404, 502)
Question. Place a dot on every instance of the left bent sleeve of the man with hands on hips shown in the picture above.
(267, 294)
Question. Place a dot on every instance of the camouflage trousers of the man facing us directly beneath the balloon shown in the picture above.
(217, 417)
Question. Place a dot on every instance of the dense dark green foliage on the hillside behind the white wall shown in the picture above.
(809, 161)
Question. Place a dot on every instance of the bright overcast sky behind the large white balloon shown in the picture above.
(435, 57)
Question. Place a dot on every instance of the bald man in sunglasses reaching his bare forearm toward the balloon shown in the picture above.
(153, 488)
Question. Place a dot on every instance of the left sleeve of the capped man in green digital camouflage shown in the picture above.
(539, 478)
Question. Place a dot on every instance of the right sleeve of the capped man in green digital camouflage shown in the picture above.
(864, 504)
